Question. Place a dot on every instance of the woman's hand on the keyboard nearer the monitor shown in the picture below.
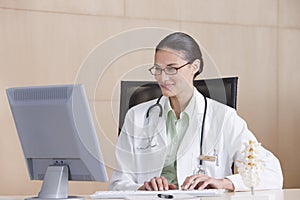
(157, 183)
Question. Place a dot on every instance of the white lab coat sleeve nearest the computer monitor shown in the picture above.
(123, 177)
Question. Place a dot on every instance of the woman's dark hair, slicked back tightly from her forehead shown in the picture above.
(185, 44)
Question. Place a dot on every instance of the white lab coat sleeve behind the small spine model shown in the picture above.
(271, 176)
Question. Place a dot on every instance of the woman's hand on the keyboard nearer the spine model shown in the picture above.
(202, 181)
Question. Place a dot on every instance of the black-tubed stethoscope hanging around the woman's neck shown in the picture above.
(200, 169)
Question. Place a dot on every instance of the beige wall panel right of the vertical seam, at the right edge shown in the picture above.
(288, 104)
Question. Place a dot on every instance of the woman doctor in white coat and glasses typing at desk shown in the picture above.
(162, 140)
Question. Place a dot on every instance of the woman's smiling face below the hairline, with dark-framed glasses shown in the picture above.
(177, 84)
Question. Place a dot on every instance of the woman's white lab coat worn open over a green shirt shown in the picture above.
(225, 132)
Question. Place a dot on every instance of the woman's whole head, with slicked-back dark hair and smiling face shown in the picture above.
(177, 52)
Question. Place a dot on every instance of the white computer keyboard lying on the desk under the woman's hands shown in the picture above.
(112, 194)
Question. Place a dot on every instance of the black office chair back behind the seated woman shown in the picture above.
(223, 90)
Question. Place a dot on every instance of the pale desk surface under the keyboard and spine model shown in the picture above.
(286, 194)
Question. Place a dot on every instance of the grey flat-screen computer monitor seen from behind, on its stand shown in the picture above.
(58, 137)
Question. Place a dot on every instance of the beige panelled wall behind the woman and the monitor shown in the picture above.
(45, 42)
